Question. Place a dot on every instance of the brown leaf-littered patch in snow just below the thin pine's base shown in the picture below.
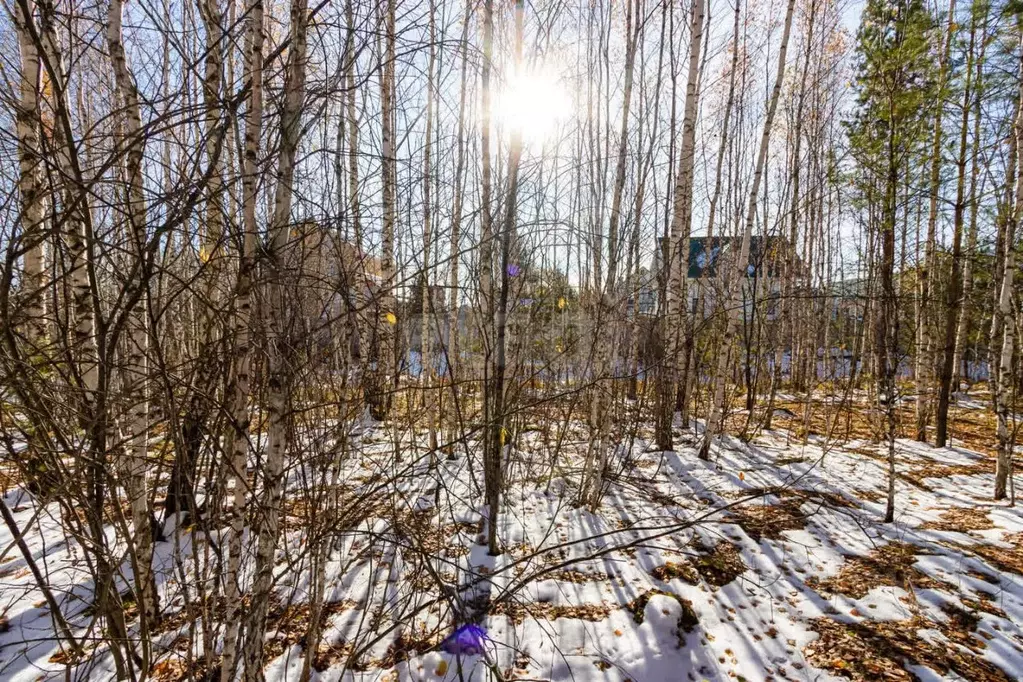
(891, 565)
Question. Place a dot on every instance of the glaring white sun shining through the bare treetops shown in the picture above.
(536, 103)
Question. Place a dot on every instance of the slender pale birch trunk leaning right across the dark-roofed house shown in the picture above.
(734, 307)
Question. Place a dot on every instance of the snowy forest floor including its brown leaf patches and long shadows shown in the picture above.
(769, 563)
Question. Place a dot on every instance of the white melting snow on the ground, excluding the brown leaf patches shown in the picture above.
(754, 627)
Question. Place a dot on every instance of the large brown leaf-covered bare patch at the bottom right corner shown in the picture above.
(881, 651)
